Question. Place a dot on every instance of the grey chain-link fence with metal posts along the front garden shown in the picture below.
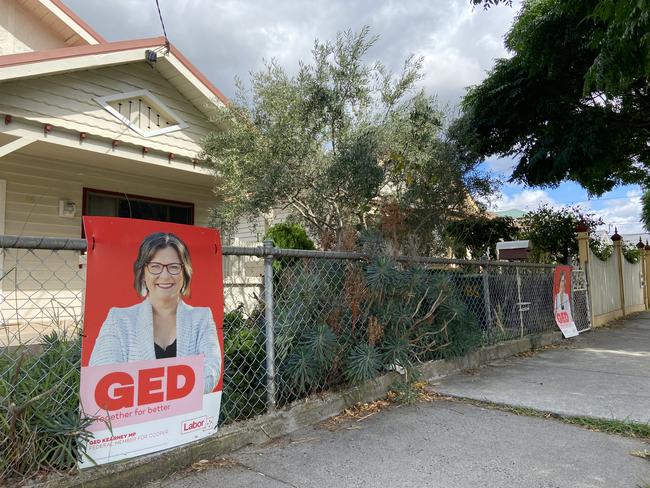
(298, 322)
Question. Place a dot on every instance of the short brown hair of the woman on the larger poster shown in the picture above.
(151, 245)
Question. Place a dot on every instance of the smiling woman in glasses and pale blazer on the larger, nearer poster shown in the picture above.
(162, 325)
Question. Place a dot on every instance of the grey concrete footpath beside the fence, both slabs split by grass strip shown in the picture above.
(451, 444)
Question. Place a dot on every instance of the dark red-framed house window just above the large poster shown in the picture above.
(111, 204)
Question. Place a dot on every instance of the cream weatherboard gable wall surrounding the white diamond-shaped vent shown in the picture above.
(68, 101)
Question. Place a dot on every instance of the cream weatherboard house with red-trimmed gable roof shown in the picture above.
(91, 127)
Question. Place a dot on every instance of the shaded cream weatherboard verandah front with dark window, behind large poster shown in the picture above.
(43, 195)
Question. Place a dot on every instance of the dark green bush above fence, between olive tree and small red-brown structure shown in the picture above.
(480, 235)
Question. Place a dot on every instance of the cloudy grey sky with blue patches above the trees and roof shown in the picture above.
(229, 38)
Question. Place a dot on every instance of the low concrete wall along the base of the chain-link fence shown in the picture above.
(260, 429)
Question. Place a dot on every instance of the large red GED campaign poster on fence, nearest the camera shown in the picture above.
(152, 350)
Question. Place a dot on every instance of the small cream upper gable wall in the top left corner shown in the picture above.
(21, 31)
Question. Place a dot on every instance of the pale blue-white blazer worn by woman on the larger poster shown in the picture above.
(127, 335)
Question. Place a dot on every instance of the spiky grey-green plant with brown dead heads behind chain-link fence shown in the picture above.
(347, 323)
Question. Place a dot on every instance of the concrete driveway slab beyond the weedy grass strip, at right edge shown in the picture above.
(604, 373)
